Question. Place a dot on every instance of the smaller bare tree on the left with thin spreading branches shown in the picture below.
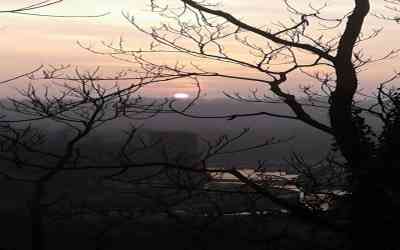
(81, 107)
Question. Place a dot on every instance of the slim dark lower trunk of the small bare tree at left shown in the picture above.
(36, 215)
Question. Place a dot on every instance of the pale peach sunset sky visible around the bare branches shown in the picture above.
(27, 41)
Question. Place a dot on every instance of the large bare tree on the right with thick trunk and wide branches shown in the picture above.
(201, 30)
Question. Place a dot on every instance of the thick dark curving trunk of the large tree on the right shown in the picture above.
(370, 204)
